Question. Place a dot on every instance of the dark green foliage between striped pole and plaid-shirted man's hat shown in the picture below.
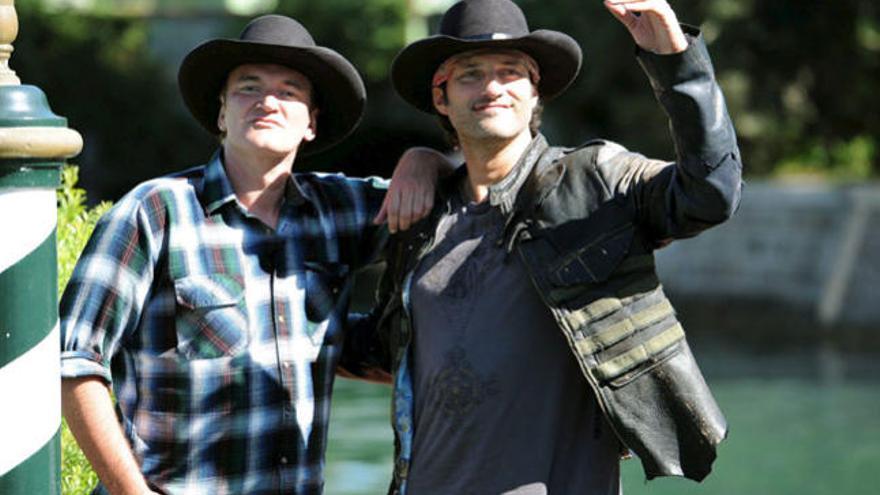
(98, 72)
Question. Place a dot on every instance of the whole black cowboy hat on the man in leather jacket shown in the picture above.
(477, 24)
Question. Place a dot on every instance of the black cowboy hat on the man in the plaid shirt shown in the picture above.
(275, 39)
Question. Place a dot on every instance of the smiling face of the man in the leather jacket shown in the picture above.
(488, 96)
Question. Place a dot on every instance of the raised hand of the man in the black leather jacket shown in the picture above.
(652, 24)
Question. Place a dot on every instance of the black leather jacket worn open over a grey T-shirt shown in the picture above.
(585, 224)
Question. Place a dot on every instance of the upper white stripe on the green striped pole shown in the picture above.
(27, 219)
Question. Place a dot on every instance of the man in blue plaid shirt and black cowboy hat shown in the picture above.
(214, 300)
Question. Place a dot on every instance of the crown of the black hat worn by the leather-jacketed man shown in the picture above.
(484, 19)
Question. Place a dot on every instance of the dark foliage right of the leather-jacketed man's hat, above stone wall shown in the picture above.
(799, 76)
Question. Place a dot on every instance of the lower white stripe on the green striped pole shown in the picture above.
(31, 412)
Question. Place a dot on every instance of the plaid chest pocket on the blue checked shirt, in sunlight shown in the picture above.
(211, 316)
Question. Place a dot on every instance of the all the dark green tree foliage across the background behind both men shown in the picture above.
(800, 78)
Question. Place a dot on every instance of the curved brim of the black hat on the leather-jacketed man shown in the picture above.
(558, 56)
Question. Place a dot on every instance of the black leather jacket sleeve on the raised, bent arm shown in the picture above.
(702, 187)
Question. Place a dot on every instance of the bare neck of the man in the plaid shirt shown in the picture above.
(258, 181)
